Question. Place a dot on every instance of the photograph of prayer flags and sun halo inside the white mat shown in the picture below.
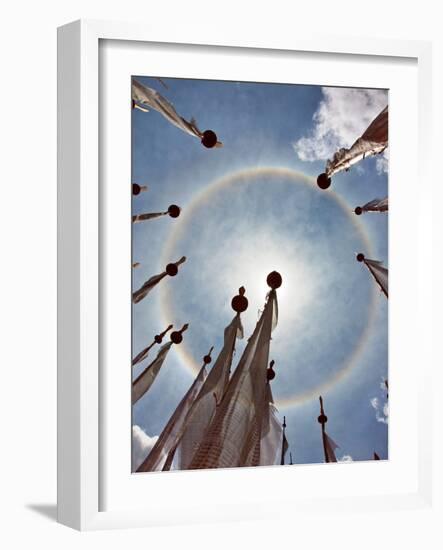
(259, 274)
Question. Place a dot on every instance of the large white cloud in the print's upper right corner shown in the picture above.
(342, 116)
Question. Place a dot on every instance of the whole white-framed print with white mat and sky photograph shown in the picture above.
(229, 215)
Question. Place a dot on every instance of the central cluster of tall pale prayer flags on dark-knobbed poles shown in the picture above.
(225, 420)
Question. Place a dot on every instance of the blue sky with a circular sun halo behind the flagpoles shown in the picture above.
(259, 223)
